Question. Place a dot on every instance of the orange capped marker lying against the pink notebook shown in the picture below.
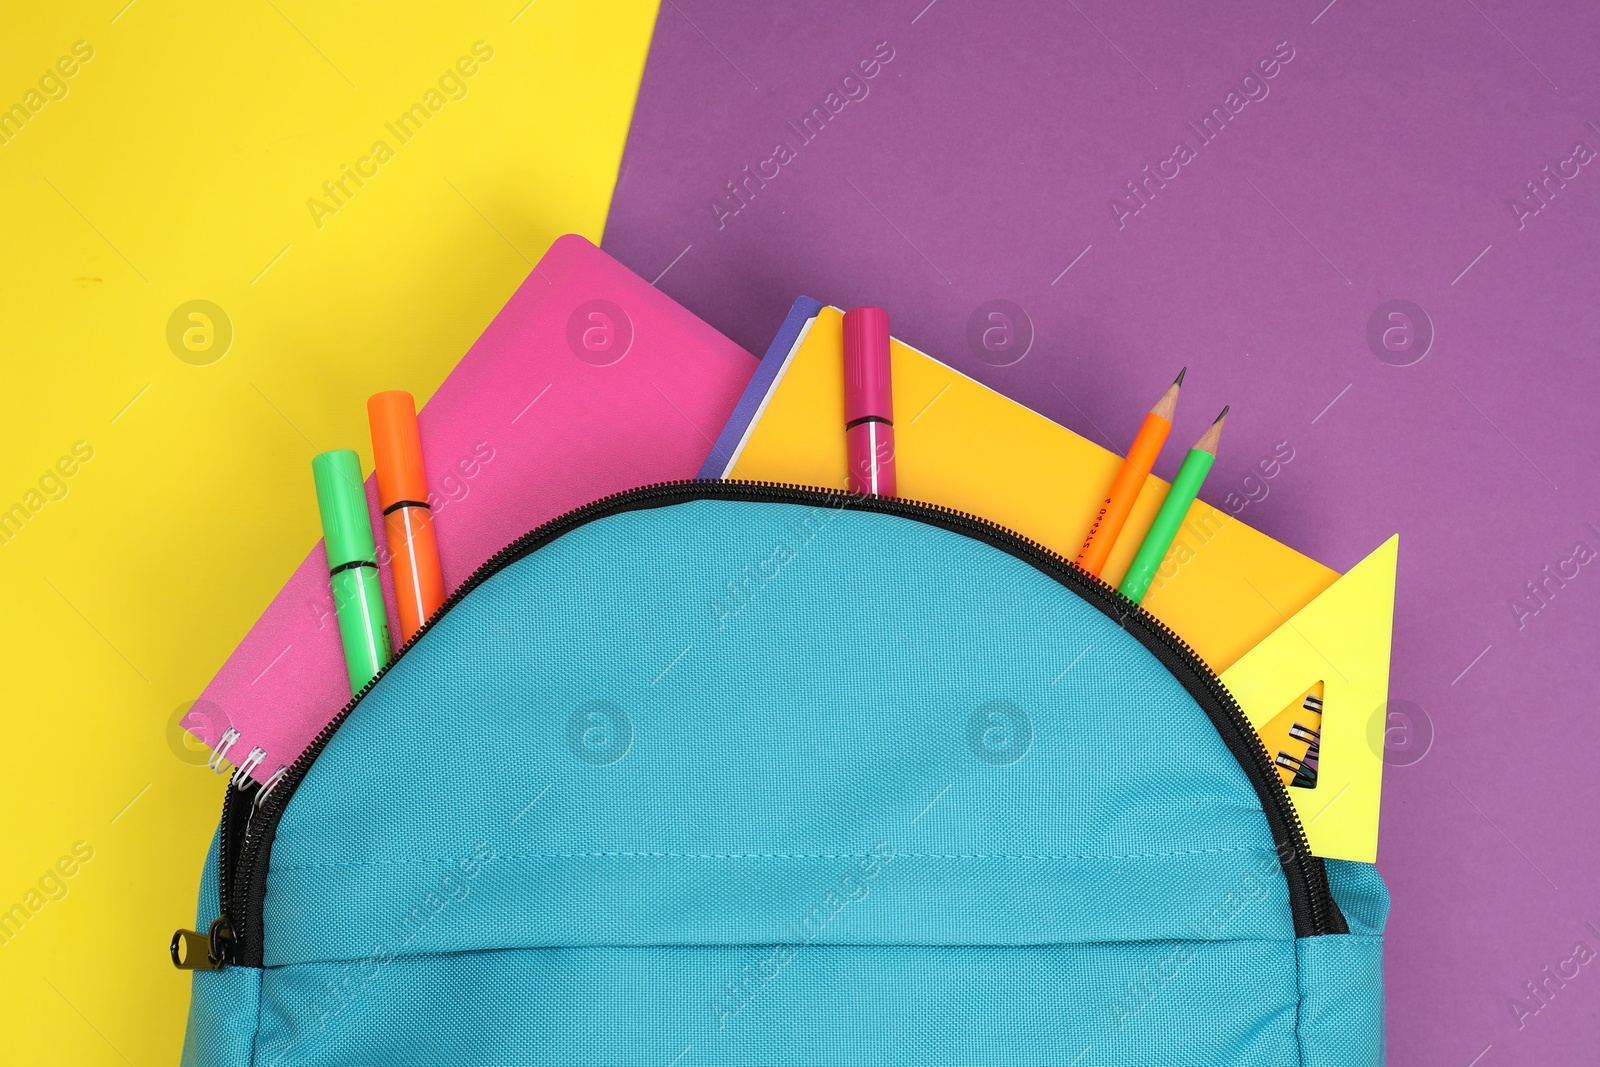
(409, 522)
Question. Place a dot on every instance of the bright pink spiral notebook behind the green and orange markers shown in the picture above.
(590, 382)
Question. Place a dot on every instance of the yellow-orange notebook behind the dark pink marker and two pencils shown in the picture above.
(1223, 588)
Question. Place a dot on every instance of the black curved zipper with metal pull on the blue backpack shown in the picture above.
(250, 820)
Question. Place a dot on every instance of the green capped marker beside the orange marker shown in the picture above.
(353, 564)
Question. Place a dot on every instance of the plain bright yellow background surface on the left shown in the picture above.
(177, 169)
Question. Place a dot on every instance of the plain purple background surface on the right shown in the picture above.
(1382, 166)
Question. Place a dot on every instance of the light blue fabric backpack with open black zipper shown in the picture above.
(729, 775)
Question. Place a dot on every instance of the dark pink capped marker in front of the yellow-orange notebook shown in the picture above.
(870, 402)
